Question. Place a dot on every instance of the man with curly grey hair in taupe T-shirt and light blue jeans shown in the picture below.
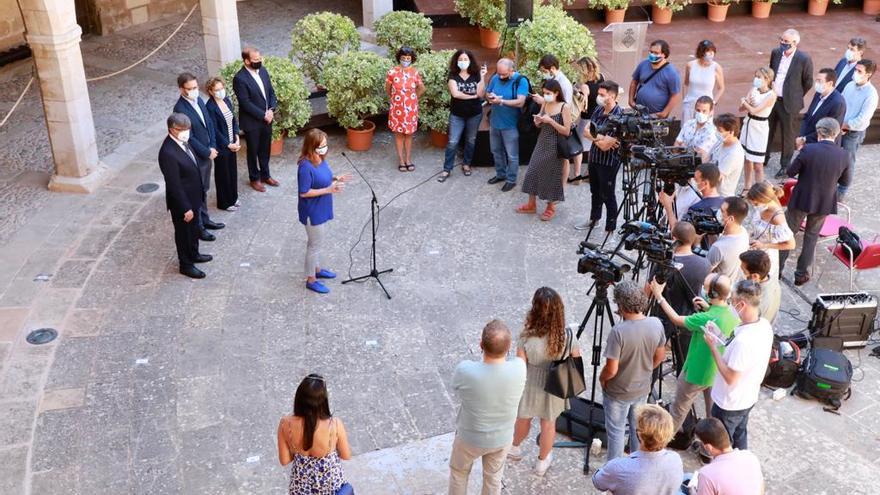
(635, 346)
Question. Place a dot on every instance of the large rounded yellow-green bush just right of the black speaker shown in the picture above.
(552, 30)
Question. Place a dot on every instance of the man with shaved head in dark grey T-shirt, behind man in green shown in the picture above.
(683, 285)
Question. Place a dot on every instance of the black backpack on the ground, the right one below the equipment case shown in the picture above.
(825, 376)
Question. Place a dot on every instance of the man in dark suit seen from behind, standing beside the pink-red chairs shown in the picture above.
(820, 167)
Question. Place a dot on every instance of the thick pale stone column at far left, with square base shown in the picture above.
(54, 36)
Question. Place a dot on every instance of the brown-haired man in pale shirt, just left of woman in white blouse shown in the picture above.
(723, 256)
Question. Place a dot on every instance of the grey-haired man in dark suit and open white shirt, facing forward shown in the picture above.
(793, 71)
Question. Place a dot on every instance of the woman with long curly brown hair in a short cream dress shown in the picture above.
(544, 340)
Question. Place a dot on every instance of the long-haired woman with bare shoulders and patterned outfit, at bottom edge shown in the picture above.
(312, 441)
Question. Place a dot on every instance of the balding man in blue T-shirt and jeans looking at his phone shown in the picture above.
(506, 92)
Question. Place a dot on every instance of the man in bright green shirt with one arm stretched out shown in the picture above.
(699, 368)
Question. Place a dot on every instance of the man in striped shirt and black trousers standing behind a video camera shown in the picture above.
(604, 160)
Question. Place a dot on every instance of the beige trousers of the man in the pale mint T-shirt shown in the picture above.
(462, 460)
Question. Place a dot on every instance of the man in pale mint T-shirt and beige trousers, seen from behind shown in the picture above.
(489, 391)
